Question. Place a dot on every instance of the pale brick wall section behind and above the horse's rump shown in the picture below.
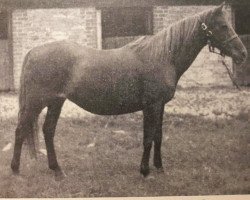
(34, 27)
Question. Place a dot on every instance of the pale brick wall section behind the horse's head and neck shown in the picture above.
(207, 69)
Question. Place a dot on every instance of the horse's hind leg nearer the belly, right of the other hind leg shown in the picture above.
(49, 127)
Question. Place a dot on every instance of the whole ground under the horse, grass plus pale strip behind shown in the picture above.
(206, 143)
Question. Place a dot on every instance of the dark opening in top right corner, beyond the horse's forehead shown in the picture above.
(242, 22)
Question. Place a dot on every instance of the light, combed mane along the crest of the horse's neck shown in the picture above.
(162, 45)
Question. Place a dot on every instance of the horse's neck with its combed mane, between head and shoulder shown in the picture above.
(176, 46)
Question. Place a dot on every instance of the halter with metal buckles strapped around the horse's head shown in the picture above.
(209, 35)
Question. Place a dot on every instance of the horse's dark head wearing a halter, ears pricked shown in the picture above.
(220, 34)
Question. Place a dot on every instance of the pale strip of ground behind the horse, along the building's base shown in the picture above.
(205, 102)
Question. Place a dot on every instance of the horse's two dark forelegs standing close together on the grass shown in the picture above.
(151, 122)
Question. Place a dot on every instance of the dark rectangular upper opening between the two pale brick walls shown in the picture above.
(120, 22)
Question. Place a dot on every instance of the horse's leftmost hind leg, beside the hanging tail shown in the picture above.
(24, 130)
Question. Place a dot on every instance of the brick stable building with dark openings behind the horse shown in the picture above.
(25, 24)
